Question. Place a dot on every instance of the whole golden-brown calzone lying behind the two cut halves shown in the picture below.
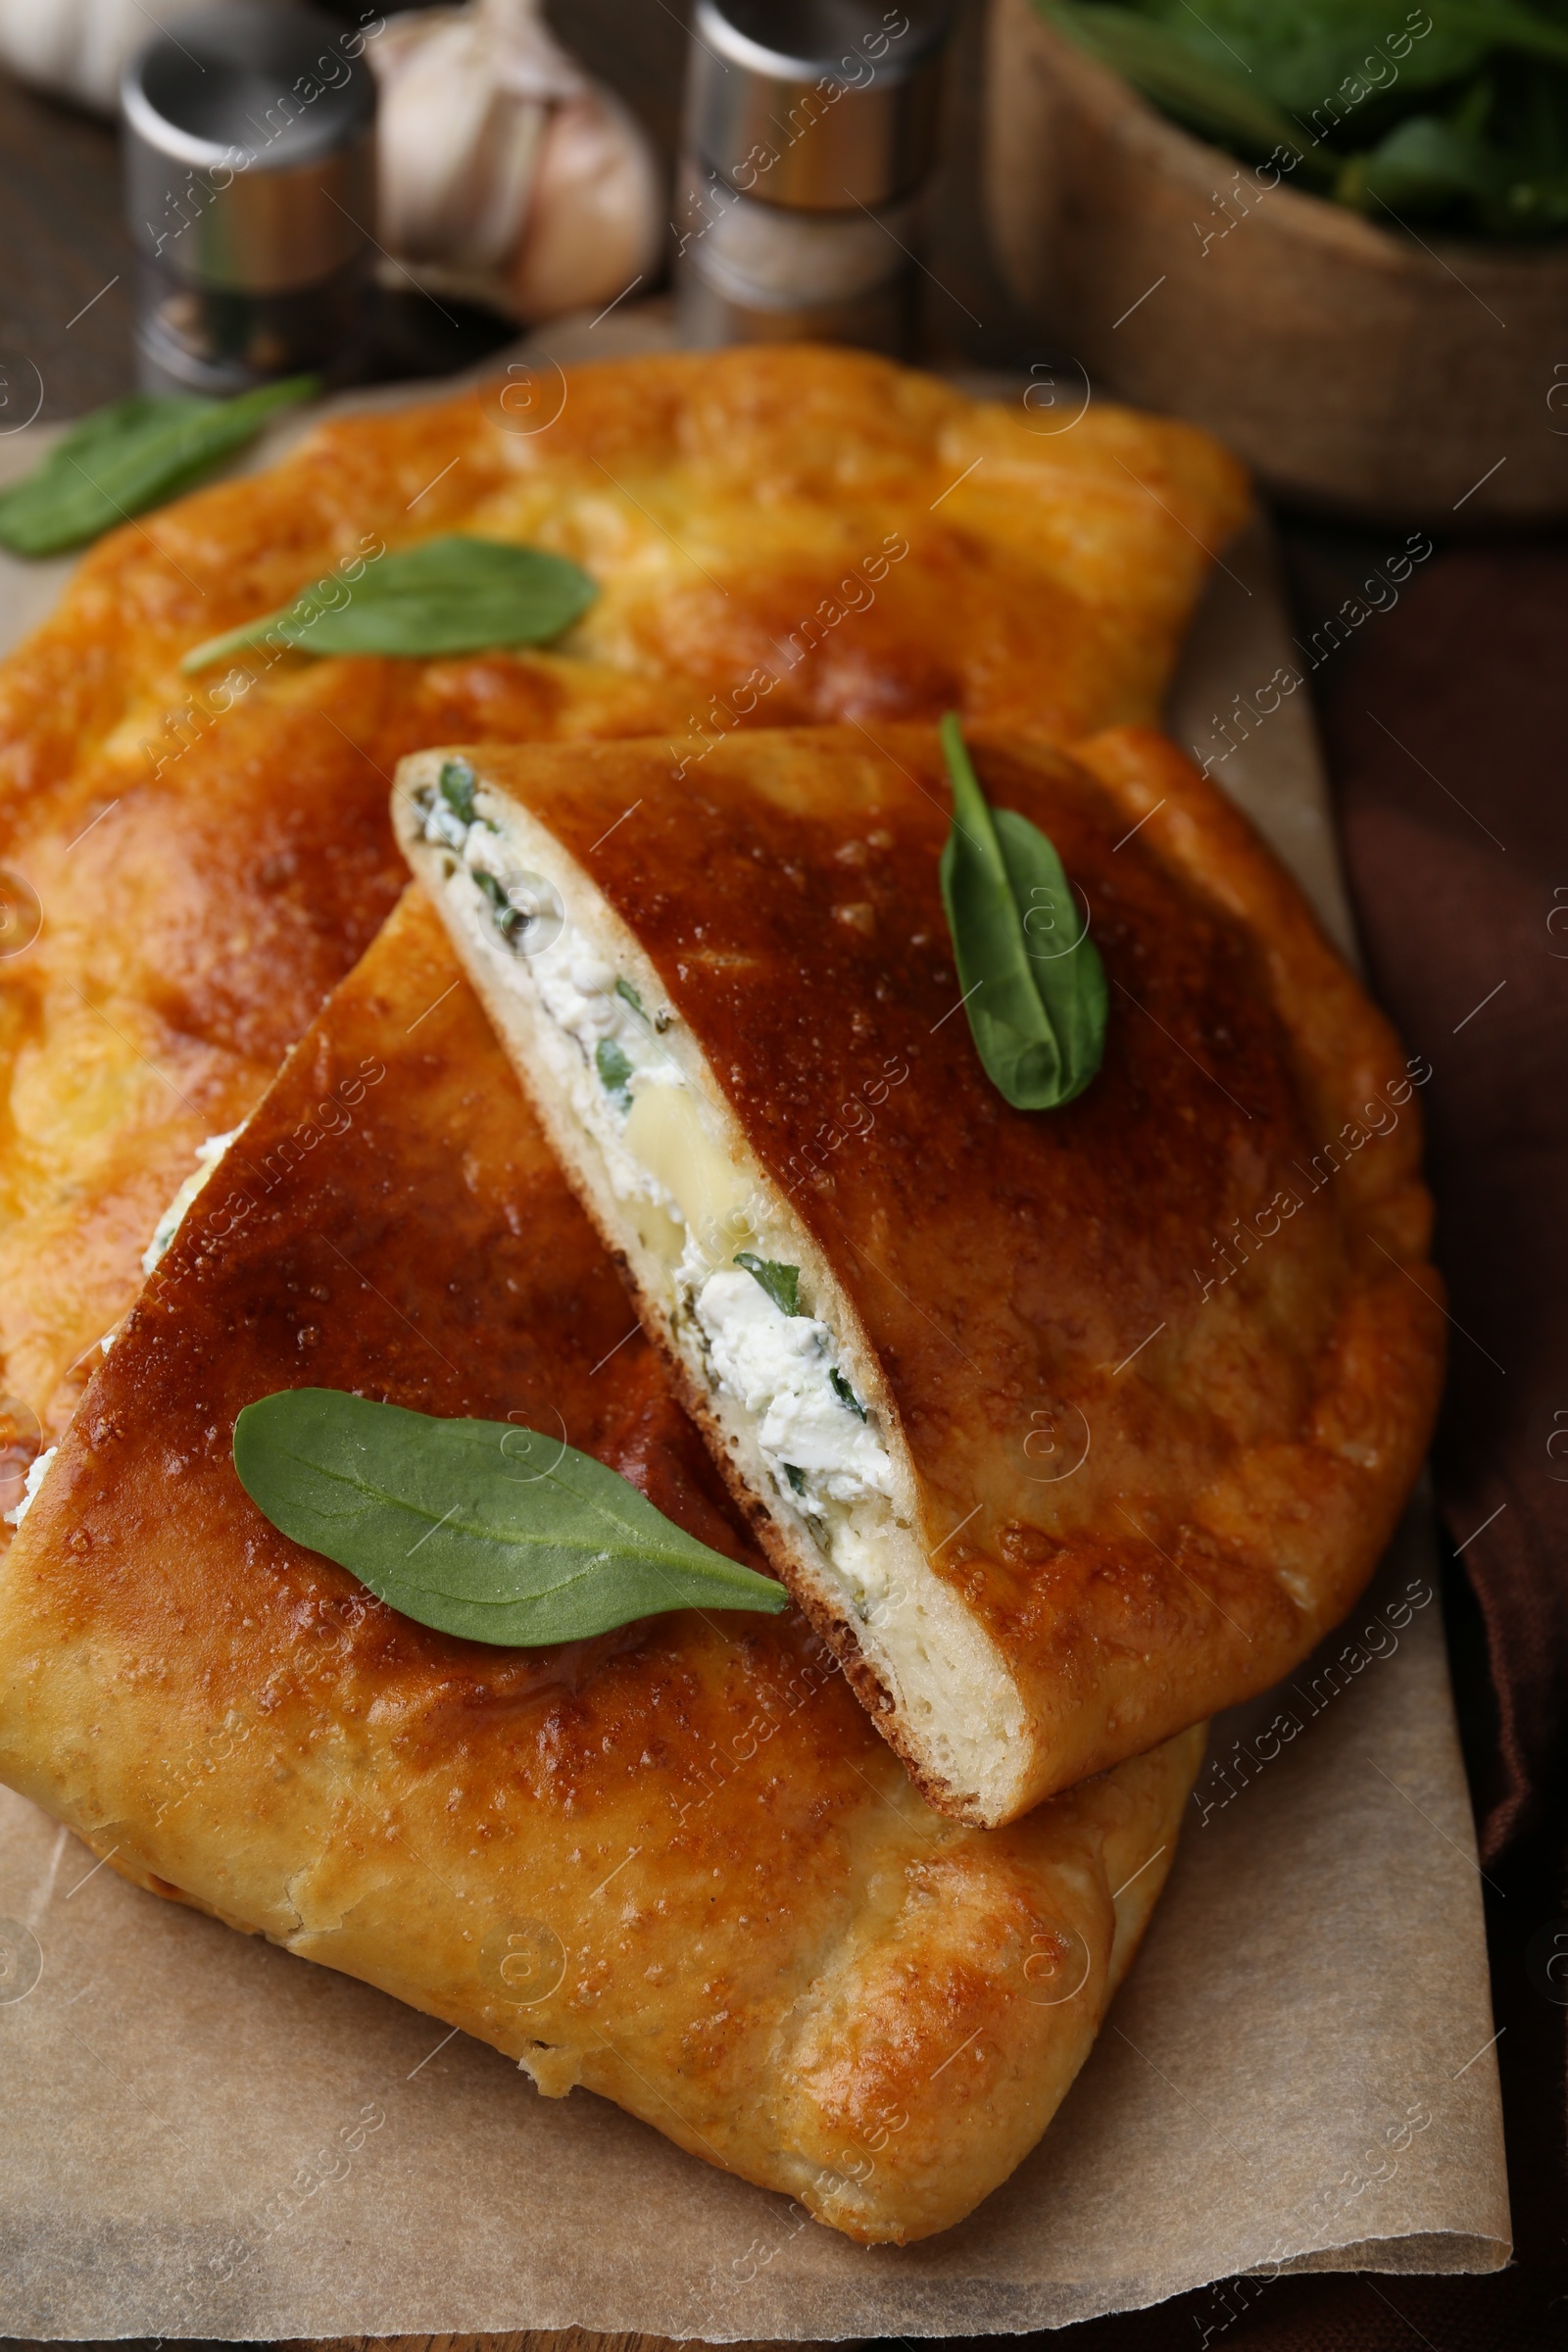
(730, 505)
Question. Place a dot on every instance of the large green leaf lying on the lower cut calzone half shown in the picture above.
(476, 1528)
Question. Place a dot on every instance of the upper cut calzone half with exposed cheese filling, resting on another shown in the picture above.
(1066, 1426)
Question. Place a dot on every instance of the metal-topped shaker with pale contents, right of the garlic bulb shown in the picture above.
(808, 149)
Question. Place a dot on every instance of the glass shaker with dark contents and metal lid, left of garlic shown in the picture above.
(250, 182)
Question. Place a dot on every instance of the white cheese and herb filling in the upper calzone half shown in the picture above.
(605, 1045)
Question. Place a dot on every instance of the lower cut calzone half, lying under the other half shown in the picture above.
(671, 1864)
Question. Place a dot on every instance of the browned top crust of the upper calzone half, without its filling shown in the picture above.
(1167, 1358)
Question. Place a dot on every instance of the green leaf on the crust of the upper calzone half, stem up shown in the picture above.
(1031, 975)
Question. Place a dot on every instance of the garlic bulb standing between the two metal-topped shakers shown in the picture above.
(507, 175)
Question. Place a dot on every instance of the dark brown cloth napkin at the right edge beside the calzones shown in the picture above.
(1449, 751)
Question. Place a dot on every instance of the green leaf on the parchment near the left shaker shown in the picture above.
(128, 457)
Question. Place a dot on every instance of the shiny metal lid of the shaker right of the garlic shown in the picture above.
(822, 105)
